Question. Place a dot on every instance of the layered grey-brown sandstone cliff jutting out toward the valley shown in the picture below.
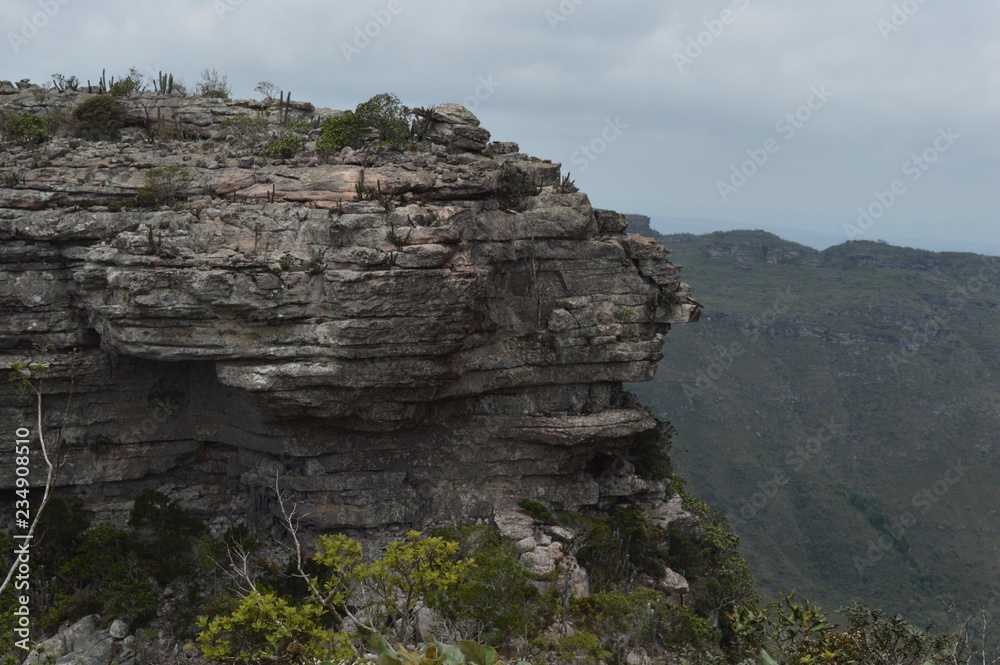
(423, 356)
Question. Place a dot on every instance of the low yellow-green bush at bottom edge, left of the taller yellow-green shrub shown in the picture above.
(267, 628)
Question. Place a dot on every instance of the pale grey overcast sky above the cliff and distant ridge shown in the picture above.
(786, 115)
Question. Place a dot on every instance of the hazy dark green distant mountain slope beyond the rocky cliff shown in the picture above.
(842, 407)
